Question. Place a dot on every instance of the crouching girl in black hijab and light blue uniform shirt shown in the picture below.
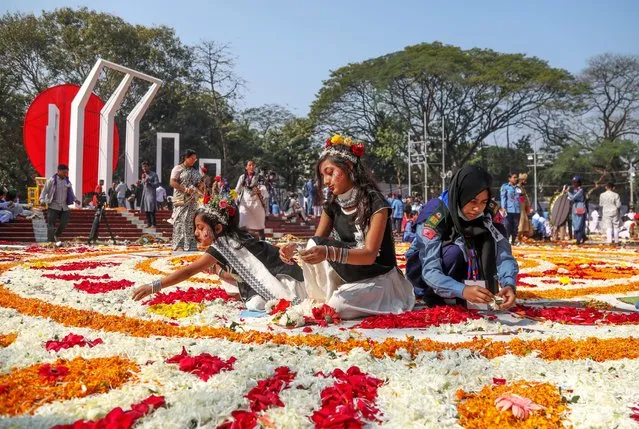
(457, 240)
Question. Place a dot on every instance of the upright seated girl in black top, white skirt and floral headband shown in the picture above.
(350, 264)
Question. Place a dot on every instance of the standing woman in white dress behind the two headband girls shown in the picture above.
(252, 199)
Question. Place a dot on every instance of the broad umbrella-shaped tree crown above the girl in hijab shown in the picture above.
(477, 92)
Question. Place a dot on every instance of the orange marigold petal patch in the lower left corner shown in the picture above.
(26, 389)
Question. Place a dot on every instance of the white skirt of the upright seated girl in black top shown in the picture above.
(386, 293)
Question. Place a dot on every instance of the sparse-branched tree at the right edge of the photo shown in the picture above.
(590, 130)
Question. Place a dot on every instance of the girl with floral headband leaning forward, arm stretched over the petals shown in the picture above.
(236, 257)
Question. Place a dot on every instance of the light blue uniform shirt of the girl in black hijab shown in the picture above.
(424, 257)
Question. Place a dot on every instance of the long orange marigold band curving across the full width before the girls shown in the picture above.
(552, 349)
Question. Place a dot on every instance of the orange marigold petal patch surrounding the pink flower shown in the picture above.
(478, 411)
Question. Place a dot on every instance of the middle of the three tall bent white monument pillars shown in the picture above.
(107, 120)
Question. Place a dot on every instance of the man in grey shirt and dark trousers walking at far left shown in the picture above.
(58, 195)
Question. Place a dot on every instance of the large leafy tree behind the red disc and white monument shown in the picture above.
(62, 46)
